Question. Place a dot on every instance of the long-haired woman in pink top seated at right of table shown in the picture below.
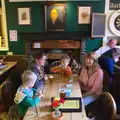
(91, 79)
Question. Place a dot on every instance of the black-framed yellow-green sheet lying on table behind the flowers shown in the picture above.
(71, 104)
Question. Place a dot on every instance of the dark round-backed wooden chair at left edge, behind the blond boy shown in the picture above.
(6, 93)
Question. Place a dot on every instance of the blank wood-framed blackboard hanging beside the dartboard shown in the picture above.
(98, 25)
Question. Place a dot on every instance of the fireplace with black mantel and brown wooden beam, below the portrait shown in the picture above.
(57, 43)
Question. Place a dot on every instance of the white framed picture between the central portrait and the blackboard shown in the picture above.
(84, 14)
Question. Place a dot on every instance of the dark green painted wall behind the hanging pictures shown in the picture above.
(37, 17)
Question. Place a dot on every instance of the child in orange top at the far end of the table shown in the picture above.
(63, 68)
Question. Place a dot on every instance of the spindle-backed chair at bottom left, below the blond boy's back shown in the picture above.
(13, 113)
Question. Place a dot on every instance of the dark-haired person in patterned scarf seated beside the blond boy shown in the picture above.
(38, 69)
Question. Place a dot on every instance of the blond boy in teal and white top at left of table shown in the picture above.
(26, 95)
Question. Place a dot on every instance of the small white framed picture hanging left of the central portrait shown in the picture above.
(24, 17)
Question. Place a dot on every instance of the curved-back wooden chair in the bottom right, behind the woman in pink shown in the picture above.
(106, 109)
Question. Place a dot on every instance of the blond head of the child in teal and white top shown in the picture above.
(28, 76)
